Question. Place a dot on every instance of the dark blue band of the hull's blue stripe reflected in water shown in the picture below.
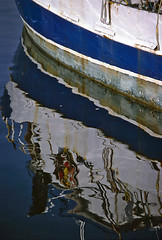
(48, 92)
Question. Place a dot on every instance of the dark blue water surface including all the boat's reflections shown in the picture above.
(72, 167)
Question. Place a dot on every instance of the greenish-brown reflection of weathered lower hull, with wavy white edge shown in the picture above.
(118, 105)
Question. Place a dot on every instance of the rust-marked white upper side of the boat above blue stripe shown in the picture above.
(129, 25)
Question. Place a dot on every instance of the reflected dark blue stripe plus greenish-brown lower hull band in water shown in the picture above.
(51, 94)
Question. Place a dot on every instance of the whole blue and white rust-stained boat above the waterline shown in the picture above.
(116, 43)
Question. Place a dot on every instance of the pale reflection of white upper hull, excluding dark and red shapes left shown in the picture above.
(111, 173)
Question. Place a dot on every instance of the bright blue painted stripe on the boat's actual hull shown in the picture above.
(90, 44)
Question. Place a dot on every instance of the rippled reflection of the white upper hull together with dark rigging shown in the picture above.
(94, 173)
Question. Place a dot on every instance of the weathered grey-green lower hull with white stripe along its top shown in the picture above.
(143, 88)
